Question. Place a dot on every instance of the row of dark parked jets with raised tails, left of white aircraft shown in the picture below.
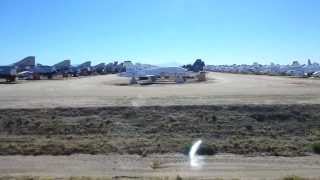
(28, 69)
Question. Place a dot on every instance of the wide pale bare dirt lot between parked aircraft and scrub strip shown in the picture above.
(104, 91)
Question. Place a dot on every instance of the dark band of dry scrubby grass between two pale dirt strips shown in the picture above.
(279, 130)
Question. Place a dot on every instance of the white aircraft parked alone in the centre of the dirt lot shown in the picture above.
(150, 74)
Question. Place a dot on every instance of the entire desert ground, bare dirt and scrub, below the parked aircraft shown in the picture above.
(252, 127)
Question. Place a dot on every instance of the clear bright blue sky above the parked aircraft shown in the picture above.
(165, 32)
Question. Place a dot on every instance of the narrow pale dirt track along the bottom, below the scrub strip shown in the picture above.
(170, 165)
